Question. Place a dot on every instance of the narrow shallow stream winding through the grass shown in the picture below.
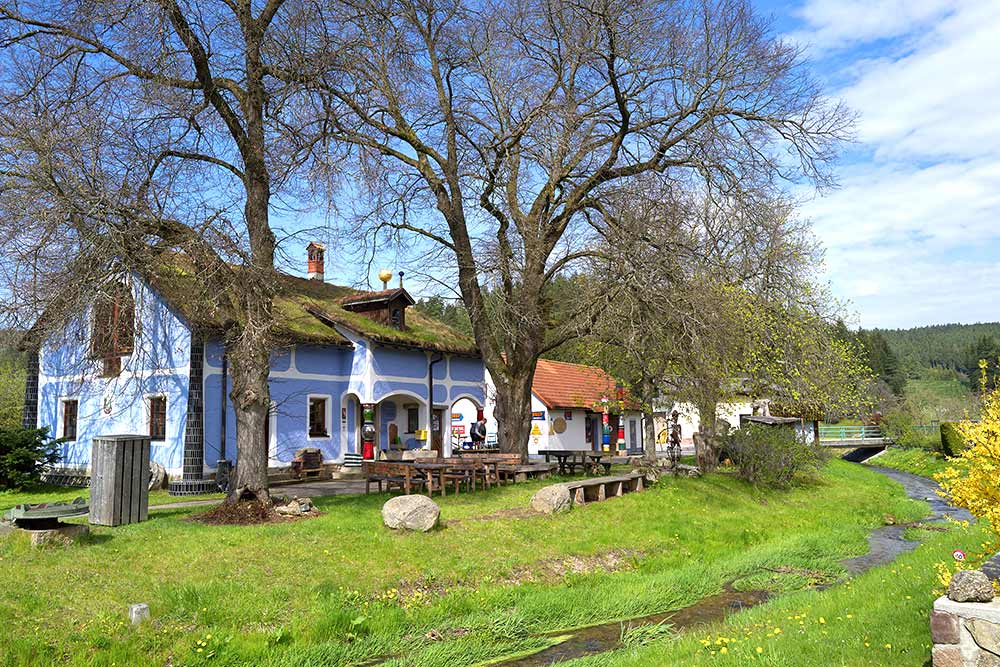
(885, 545)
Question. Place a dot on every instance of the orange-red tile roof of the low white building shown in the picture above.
(563, 385)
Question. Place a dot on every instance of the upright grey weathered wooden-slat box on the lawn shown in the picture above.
(119, 480)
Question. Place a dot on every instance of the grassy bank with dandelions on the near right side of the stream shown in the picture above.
(878, 619)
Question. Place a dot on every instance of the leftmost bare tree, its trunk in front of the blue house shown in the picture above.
(136, 129)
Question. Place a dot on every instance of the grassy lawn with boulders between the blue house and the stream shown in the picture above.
(341, 589)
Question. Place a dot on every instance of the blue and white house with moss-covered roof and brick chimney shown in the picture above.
(148, 358)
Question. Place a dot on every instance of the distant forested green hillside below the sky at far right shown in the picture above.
(945, 346)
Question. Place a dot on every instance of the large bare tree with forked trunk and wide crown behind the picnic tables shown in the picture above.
(494, 130)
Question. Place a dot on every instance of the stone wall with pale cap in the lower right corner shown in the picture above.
(965, 634)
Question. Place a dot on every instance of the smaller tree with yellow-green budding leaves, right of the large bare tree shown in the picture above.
(709, 295)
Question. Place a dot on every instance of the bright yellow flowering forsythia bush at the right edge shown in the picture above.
(974, 481)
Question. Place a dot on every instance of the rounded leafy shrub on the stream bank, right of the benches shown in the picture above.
(771, 456)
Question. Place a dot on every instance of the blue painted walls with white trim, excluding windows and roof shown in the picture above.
(366, 373)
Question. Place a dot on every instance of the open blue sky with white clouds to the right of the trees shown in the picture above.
(911, 234)
